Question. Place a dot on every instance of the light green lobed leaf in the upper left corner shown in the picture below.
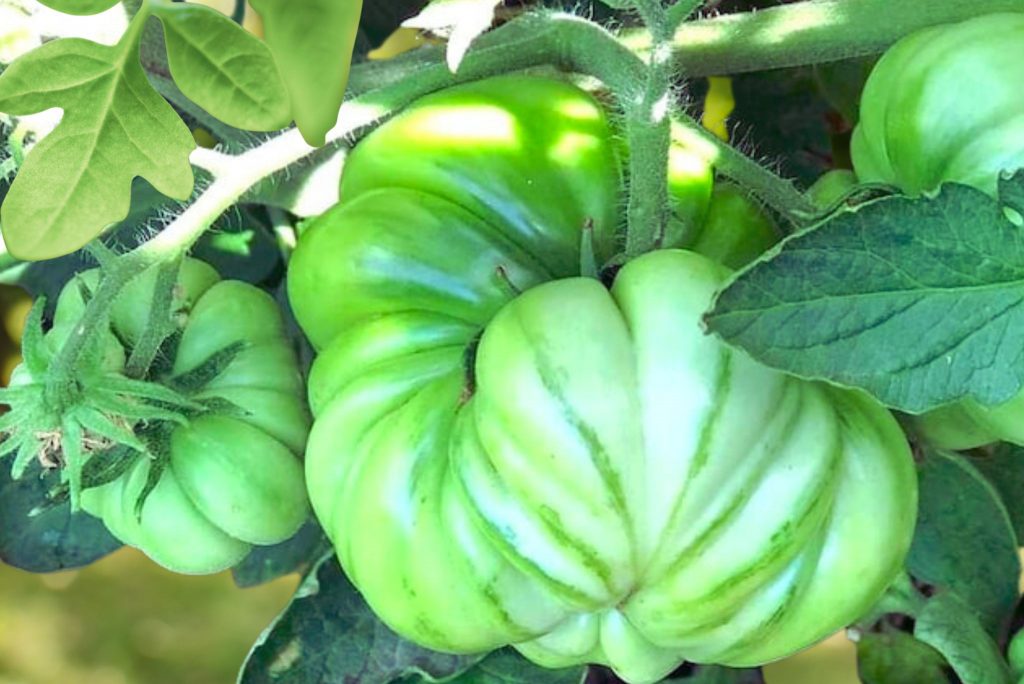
(78, 180)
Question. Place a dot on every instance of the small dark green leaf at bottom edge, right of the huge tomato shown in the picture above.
(897, 658)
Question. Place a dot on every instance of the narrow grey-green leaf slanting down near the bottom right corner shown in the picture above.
(953, 629)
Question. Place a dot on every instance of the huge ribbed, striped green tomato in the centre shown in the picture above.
(505, 453)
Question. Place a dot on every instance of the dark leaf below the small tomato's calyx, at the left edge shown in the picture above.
(54, 540)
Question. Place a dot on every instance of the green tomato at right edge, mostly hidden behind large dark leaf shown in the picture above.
(946, 105)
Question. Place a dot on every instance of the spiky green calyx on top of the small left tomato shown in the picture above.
(95, 427)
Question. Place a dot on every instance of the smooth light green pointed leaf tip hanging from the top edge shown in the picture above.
(313, 45)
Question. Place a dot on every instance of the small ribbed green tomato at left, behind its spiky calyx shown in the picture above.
(235, 476)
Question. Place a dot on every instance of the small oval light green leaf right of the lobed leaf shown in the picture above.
(224, 68)
